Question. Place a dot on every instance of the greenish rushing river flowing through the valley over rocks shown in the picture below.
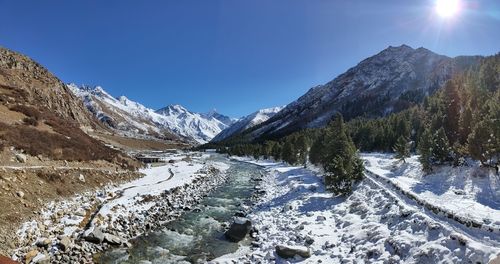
(198, 235)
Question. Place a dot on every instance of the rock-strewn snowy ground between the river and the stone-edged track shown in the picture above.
(375, 224)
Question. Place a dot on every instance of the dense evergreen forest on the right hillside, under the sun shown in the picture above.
(459, 121)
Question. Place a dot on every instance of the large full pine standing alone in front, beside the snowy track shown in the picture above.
(342, 165)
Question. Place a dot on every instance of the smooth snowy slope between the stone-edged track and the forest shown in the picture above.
(470, 192)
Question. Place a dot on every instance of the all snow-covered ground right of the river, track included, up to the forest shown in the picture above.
(386, 220)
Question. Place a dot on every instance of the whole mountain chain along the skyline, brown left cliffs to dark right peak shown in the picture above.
(390, 81)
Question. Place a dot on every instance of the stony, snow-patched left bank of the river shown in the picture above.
(75, 230)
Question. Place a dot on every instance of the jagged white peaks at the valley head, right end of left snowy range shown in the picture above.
(201, 127)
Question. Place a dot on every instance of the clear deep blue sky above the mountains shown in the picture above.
(236, 56)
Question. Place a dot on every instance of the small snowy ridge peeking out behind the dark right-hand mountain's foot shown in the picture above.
(247, 122)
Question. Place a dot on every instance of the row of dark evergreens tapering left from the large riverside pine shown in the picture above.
(331, 148)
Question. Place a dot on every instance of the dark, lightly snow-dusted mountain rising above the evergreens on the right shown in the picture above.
(387, 82)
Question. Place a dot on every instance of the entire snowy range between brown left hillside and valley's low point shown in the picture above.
(133, 119)
